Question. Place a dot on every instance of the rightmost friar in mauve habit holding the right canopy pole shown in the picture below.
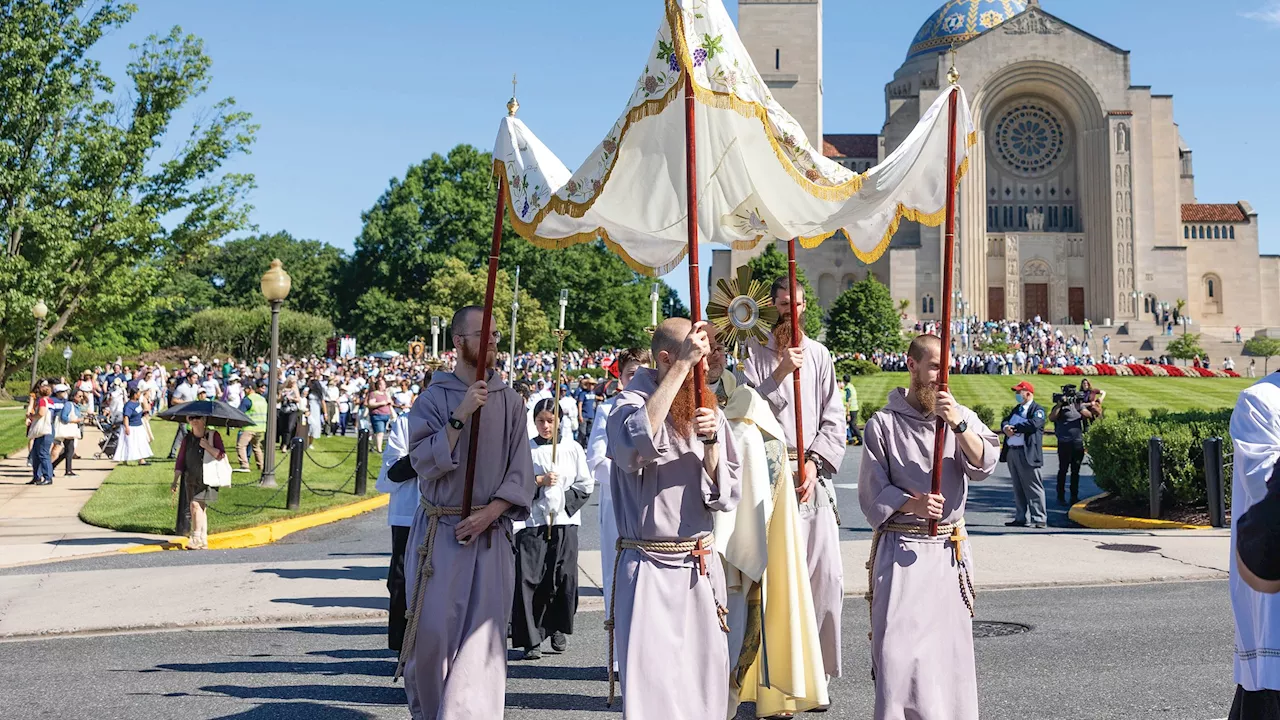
(921, 590)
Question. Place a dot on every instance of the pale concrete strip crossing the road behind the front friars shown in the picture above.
(350, 589)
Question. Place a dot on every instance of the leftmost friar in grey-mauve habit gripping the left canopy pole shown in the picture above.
(461, 580)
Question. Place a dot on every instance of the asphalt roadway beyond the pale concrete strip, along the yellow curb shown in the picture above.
(990, 507)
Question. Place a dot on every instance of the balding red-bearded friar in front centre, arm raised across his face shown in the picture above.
(675, 466)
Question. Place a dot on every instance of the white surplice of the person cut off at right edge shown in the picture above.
(1256, 436)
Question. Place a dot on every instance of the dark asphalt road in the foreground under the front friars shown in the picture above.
(1119, 653)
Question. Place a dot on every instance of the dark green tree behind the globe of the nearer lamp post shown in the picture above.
(236, 270)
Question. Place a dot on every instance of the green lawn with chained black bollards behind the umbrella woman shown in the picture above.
(138, 499)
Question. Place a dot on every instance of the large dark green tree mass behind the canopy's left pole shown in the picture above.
(444, 209)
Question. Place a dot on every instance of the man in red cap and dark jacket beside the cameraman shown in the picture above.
(1023, 450)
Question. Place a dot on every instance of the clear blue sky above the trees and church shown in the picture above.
(351, 94)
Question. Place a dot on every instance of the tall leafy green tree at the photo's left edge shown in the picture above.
(93, 218)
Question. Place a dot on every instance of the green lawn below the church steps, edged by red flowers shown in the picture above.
(1141, 394)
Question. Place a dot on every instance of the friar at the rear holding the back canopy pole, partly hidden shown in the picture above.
(770, 371)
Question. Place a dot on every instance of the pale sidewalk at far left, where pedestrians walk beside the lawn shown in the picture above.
(40, 525)
